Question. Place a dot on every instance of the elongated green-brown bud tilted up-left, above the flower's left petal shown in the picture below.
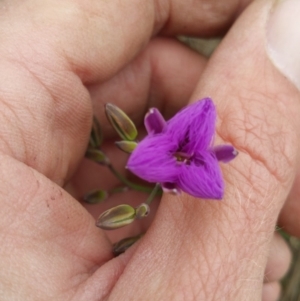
(121, 122)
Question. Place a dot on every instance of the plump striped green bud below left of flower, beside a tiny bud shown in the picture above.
(116, 217)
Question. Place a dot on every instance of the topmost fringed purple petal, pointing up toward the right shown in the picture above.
(194, 126)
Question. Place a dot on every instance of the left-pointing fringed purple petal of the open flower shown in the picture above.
(153, 160)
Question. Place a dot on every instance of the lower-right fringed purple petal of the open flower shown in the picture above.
(202, 178)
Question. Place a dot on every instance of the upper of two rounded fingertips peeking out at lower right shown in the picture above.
(279, 259)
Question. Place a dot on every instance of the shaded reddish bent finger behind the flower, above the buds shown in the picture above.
(163, 76)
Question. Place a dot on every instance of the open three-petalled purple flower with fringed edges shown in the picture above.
(179, 153)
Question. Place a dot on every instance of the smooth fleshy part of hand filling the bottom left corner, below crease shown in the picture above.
(49, 244)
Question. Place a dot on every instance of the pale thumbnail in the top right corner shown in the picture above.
(283, 38)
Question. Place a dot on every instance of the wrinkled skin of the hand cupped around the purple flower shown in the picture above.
(60, 60)
